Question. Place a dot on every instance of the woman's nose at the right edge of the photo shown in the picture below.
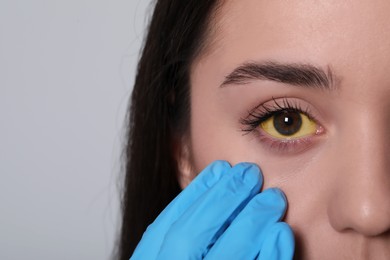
(360, 199)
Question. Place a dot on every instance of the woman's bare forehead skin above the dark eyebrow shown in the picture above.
(353, 37)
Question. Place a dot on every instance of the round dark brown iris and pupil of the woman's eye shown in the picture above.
(287, 122)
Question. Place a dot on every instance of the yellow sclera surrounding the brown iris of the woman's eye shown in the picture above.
(308, 127)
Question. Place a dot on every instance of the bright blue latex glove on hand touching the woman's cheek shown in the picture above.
(221, 215)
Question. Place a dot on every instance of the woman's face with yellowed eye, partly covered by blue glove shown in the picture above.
(325, 65)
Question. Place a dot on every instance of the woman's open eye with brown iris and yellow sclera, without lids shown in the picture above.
(287, 124)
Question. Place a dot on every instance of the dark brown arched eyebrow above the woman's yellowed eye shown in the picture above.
(297, 74)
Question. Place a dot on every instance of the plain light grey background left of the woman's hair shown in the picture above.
(66, 70)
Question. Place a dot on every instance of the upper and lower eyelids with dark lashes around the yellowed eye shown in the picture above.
(263, 112)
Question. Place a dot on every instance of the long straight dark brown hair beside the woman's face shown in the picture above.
(159, 113)
